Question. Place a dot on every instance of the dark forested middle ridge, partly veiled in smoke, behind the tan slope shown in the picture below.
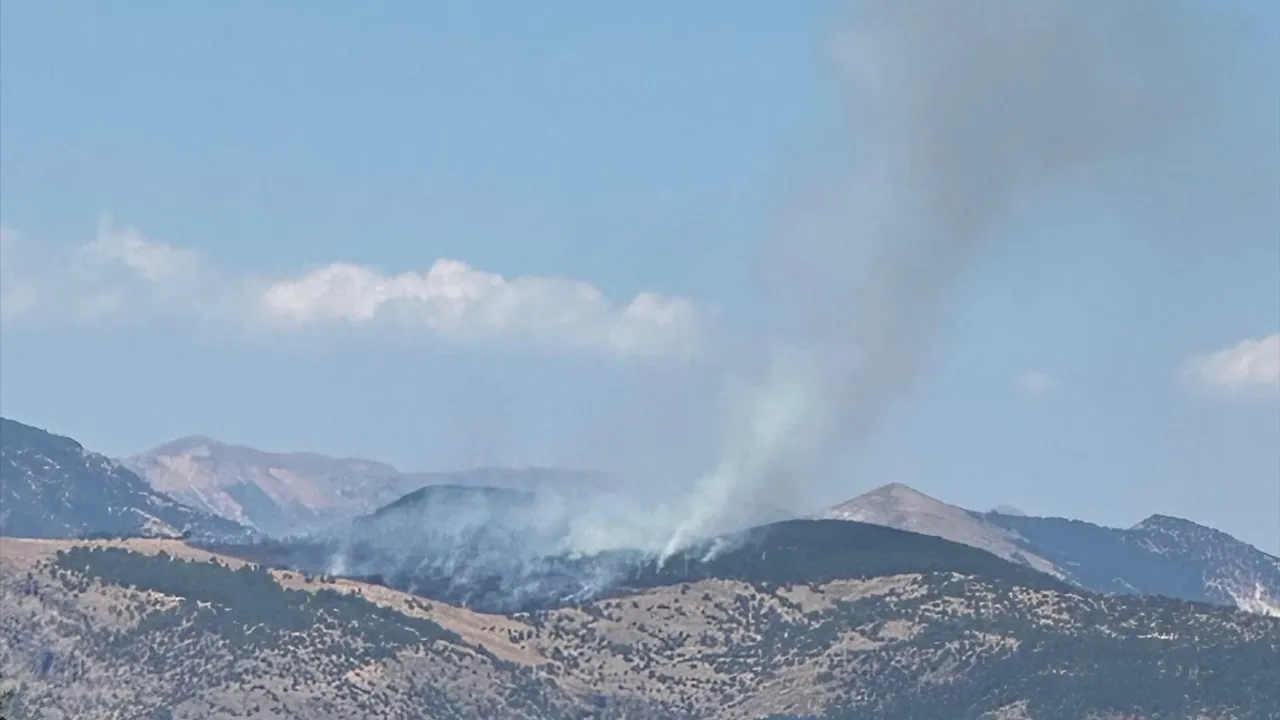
(493, 564)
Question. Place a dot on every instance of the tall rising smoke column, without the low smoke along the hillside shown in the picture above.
(966, 113)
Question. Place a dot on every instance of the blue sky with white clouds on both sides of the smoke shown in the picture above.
(177, 185)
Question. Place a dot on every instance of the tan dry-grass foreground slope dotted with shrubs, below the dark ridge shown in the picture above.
(80, 649)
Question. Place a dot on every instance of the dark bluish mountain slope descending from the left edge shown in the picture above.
(51, 486)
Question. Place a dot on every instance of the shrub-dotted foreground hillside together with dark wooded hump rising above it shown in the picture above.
(797, 623)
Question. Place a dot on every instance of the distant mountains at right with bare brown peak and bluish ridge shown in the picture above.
(1162, 555)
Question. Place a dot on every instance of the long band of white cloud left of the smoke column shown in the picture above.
(121, 275)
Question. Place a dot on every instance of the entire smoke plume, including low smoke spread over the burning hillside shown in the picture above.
(966, 115)
